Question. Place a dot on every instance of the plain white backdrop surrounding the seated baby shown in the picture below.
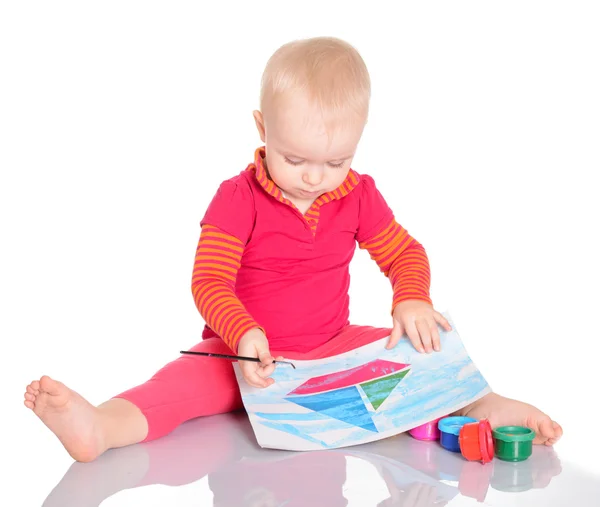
(118, 120)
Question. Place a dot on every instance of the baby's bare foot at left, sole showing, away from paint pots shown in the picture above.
(71, 418)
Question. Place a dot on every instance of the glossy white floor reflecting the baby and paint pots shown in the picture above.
(216, 461)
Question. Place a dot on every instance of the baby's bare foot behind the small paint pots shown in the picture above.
(503, 411)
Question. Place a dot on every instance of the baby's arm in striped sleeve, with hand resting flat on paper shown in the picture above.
(404, 261)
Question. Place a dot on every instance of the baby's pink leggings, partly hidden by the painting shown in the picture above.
(194, 386)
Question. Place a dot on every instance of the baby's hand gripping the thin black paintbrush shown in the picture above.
(255, 344)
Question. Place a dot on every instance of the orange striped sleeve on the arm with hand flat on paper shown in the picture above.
(403, 260)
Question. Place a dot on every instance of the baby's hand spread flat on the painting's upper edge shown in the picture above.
(419, 321)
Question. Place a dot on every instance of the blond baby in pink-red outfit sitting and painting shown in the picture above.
(271, 272)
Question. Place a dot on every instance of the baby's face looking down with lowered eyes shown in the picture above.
(302, 160)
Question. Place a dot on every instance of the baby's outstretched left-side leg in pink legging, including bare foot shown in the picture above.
(188, 387)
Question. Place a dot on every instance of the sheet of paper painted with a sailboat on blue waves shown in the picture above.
(363, 395)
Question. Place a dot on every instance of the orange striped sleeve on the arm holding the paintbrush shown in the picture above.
(217, 262)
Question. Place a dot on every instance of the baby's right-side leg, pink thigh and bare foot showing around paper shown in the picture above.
(499, 410)
